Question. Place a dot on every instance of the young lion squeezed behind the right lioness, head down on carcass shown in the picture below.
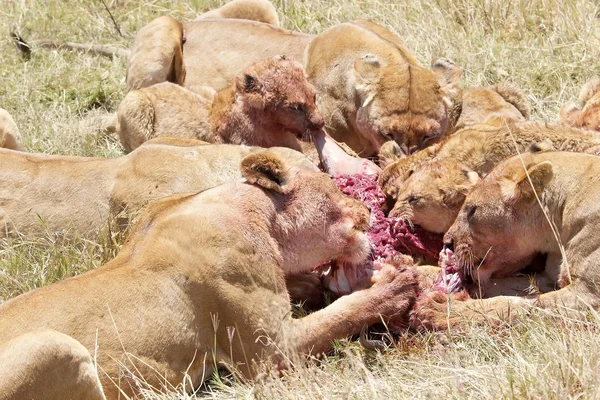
(444, 173)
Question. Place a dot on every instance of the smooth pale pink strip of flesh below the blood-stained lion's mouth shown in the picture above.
(337, 162)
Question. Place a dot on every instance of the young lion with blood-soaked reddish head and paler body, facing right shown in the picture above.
(269, 104)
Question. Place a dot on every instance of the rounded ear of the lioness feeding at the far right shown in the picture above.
(529, 185)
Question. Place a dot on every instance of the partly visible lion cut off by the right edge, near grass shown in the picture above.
(585, 113)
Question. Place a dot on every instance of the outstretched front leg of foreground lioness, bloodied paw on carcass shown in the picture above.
(391, 296)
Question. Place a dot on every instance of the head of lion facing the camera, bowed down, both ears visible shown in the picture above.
(404, 103)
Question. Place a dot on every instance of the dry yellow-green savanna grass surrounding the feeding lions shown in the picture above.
(547, 47)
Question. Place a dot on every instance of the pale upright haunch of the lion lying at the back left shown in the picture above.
(156, 54)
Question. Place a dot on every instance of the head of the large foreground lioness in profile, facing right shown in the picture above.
(319, 223)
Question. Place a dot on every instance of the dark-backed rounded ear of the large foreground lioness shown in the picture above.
(265, 169)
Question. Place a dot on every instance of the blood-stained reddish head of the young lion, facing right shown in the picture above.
(278, 91)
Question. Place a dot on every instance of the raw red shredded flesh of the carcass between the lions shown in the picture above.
(389, 236)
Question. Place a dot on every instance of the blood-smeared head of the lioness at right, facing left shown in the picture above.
(495, 227)
